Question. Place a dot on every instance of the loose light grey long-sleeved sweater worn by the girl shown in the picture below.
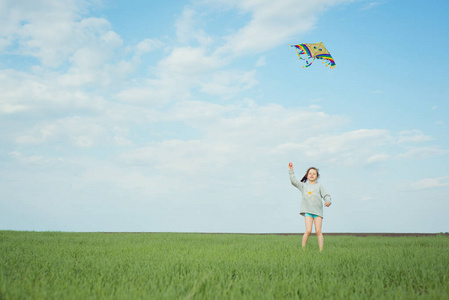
(312, 196)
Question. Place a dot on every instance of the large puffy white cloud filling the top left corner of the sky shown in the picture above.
(60, 37)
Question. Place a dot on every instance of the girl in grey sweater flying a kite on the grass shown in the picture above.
(313, 195)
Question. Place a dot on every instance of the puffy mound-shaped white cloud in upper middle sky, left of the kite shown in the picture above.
(184, 69)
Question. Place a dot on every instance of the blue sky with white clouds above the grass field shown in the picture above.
(182, 116)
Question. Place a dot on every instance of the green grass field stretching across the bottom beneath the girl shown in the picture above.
(54, 265)
